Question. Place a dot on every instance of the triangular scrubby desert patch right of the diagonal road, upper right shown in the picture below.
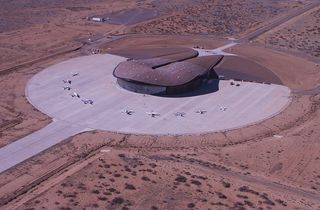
(301, 34)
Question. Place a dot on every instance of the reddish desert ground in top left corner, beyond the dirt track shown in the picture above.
(61, 26)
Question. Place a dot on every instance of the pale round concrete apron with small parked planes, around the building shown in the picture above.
(230, 107)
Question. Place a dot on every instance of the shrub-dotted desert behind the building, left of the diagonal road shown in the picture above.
(221, 18)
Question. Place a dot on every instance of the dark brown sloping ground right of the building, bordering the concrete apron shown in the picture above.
(239, 68)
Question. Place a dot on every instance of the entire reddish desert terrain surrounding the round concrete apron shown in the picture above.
(274, 164)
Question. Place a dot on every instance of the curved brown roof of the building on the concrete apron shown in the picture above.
(173, 74)
